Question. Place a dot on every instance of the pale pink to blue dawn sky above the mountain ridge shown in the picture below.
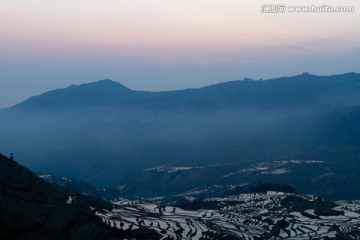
(167, 44)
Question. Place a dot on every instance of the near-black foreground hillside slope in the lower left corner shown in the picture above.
(31, 208)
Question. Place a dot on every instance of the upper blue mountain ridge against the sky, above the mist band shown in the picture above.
(297, 91)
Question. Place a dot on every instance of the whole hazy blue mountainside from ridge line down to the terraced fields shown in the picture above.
(107, 134)
